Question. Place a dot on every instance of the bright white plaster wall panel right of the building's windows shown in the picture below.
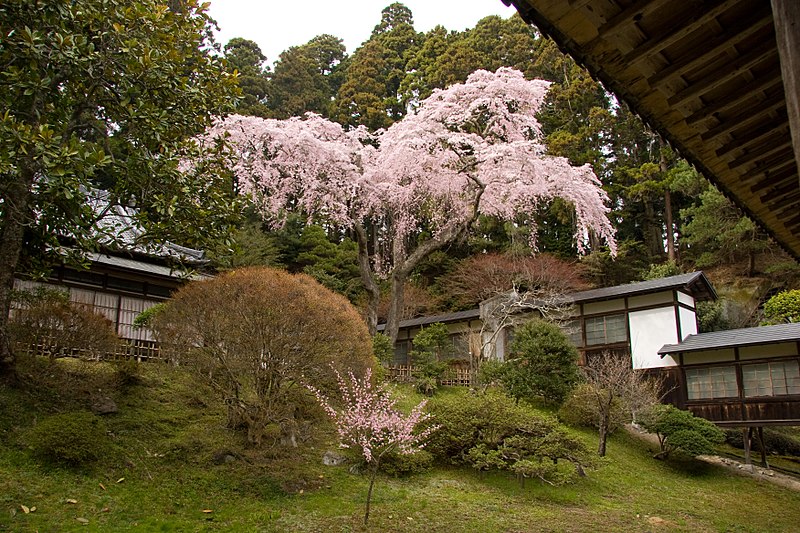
(650, 330)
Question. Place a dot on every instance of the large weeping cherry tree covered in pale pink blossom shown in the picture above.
(419, 186)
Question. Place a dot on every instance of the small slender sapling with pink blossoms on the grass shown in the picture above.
(369, 422)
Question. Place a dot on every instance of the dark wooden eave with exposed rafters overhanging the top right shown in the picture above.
(706, 75)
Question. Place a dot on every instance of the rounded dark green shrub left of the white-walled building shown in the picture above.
(542, 363)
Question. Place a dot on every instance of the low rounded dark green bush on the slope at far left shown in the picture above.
(71, 439)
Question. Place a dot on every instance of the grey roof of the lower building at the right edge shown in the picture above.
(734, 338)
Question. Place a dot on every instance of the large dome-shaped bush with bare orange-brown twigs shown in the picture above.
(254, 333)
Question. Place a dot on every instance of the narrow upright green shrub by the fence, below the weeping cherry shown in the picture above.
(432, 347)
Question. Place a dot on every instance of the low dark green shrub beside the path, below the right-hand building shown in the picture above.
(681, 431)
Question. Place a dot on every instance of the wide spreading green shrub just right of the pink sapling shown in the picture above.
(491, 432)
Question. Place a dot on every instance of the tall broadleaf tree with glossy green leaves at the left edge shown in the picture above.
(103, 95)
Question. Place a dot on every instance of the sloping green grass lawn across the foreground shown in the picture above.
(162, 476)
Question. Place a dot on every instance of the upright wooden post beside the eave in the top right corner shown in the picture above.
(786, 14)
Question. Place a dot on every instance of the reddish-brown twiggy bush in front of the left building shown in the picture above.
(46, 321)
